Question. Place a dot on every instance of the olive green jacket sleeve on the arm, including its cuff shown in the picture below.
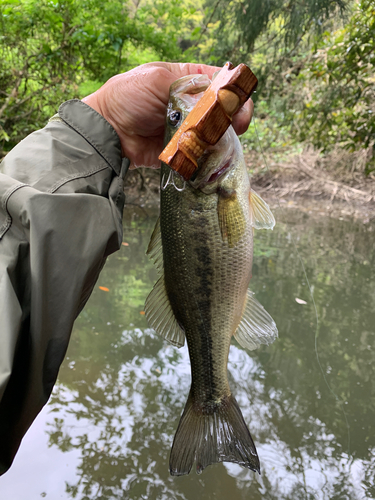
(61, 202)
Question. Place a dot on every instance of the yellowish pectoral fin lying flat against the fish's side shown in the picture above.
(231, 218)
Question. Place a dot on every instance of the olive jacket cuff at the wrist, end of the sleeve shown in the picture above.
(95, 129)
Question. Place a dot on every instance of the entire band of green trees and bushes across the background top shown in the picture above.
(314, 59)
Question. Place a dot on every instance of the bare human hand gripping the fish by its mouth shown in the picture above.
(135, 103)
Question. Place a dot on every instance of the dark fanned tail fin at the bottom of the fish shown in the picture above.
(219, 435)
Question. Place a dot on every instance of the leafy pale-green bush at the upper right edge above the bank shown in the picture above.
(340, 107)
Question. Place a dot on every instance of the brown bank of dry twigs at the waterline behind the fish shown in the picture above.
(282, 186)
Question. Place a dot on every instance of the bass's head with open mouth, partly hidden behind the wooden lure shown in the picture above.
(218, 162)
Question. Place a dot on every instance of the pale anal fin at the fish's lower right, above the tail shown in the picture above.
(256, 326)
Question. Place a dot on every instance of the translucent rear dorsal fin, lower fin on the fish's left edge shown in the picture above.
(160, 316)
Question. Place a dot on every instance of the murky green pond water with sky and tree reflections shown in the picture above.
(108, 429)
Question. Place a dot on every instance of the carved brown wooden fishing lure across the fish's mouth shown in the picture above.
(209, 119)
